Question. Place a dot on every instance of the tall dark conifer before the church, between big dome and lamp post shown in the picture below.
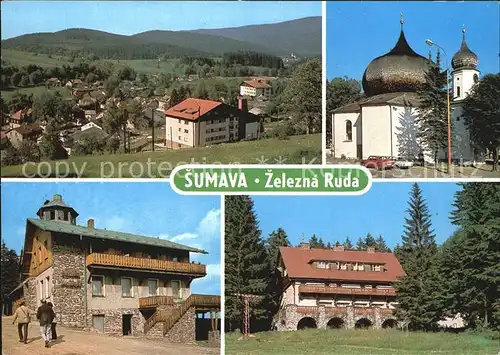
(433, 116)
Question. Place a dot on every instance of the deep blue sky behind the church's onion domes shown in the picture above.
(358, 32)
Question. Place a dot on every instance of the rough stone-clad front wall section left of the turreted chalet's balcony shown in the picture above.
(68, 282)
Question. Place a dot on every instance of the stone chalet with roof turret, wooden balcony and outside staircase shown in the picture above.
(111, 282)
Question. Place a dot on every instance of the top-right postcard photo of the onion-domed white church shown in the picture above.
(413, 90)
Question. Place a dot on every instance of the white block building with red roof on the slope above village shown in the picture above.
(197, 122)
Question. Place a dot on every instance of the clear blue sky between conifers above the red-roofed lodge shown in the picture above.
(381, 211)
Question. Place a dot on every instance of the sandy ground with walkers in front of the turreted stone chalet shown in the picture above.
(74, 342)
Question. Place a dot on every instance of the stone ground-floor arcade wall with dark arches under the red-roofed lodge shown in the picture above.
(290, 316)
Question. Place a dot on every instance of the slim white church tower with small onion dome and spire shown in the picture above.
(464, 74)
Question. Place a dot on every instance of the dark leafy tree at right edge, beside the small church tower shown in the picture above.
(481, 113)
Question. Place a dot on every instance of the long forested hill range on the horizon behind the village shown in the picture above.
(302, 37)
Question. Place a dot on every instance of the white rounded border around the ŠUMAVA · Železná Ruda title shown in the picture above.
(235, 168)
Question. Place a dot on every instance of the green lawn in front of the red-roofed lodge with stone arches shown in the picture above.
(360, 342)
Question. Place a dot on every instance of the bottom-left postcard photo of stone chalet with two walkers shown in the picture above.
(117, 268)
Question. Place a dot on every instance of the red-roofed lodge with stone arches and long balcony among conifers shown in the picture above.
(337, 288)
